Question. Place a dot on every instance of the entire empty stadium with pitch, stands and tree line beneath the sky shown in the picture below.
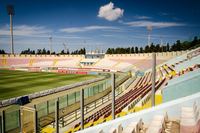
(154, 90)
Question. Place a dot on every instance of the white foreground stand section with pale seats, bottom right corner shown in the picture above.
(180, 116)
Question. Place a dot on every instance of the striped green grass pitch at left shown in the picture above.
(17, 83)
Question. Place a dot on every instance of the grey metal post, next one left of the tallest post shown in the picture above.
(113, 95)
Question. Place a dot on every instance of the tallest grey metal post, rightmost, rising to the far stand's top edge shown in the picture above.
(153, 78)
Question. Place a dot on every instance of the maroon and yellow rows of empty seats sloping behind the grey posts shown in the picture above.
(141, 89)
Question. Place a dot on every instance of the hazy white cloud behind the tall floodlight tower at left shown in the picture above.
(25, 30)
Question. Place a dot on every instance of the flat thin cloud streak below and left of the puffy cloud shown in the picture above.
(87, 28)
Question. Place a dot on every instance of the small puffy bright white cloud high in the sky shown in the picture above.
(109, 12)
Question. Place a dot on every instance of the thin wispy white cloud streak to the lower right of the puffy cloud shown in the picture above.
(145, 23)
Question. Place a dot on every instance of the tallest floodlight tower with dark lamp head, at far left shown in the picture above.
(11, 12)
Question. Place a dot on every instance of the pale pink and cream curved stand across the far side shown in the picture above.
(116, 62)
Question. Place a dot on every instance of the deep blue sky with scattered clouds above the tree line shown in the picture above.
(97, 23)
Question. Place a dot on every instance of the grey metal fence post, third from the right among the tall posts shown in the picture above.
(82, 107)
